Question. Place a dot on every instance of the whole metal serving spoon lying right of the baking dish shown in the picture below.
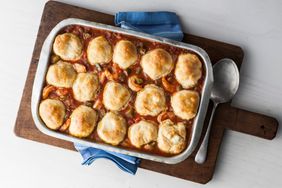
(226, 83)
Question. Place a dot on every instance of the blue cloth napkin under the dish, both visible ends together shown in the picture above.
(164, 24)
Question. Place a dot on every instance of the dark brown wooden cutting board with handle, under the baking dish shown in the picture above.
(226, 117)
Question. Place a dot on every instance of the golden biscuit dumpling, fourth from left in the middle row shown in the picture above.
(150, 100)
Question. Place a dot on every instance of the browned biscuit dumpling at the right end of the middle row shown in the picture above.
(185, 104)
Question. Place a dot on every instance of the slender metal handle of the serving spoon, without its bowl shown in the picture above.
(202, 152)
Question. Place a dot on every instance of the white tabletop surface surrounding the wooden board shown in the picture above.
(244, 161)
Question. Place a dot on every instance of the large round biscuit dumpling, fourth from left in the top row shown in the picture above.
(157, 63)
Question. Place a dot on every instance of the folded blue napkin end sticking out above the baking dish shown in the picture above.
(163, 24)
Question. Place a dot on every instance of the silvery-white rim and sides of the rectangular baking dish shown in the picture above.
(198, 120)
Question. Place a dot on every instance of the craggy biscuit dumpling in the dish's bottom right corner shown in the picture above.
(171, 137)
